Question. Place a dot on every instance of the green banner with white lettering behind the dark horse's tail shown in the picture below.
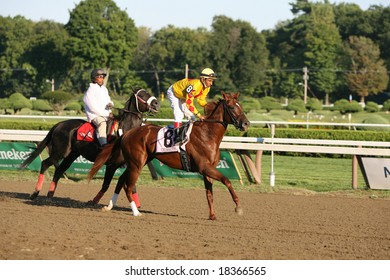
(12, 155)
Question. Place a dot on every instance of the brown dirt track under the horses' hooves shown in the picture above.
(174, 226)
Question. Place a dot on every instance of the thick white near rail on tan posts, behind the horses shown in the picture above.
(244, 144)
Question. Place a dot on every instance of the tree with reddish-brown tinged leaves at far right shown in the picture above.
(367, 73)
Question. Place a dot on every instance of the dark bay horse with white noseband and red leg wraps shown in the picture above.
(62, 142)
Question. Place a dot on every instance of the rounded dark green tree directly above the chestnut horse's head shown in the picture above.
(239, 54)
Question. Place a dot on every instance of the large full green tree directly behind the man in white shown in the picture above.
(101, 36)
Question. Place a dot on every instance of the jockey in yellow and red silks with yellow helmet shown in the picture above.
(182, 94)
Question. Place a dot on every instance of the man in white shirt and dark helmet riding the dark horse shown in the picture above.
(98, 104)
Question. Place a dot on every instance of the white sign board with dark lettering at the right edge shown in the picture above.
(377, 172)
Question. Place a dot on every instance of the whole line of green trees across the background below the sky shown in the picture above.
(344, 49)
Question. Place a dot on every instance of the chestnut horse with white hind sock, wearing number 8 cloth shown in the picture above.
(138, 147)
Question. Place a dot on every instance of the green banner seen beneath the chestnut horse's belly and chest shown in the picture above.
(226, 166)
